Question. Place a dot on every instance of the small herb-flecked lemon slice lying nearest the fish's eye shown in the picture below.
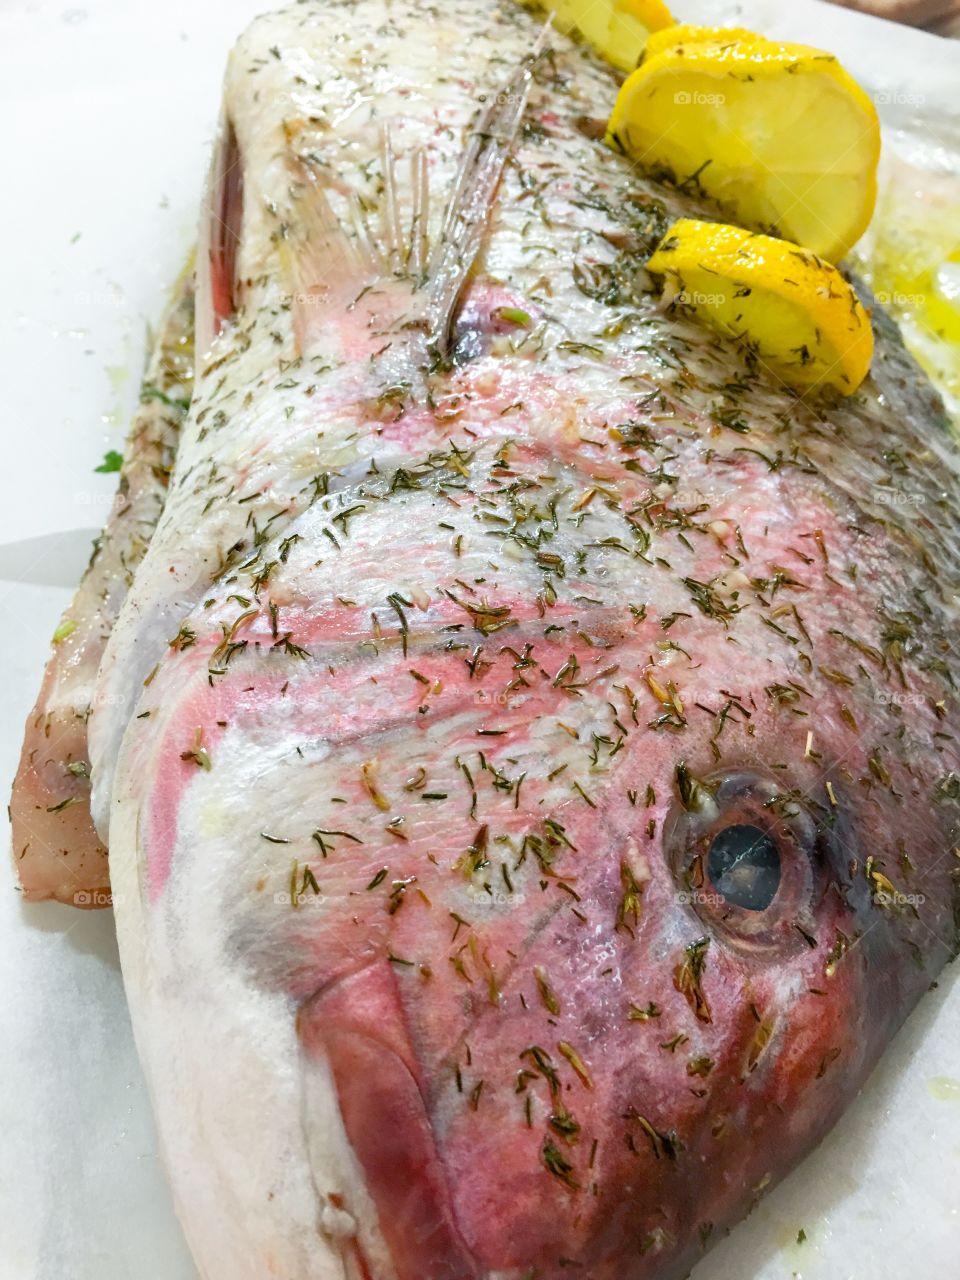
(796, 313)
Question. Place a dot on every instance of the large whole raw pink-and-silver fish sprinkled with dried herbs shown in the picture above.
(528, 749)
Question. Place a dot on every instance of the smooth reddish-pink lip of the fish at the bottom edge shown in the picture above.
(356, 1027)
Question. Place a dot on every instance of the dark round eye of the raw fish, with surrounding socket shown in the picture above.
(748, 857)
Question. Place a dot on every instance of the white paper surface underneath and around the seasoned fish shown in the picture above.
(113, 107)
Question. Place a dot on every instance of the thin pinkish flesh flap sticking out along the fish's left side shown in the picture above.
(57, 852)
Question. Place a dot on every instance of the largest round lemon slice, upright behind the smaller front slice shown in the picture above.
(779, 136)
